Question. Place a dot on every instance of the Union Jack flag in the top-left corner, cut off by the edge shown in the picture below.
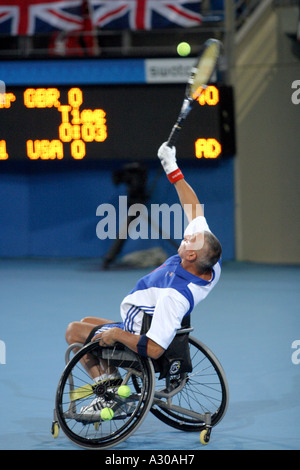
(27, 17)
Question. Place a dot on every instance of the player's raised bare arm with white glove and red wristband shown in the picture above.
(186, 194)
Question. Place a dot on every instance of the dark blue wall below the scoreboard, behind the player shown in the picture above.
(53, 213)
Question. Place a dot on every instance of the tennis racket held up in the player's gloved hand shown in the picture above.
(198, 80)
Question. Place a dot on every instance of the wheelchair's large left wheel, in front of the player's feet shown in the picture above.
(86, 425)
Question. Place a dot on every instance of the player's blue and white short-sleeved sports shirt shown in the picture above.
(167, 294)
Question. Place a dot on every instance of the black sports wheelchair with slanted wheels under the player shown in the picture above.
(189, 393)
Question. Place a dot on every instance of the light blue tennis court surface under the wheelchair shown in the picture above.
(250, 322)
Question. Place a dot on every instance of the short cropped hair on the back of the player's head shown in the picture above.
(209, 254)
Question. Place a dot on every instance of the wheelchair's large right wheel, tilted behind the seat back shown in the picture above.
(197, 400)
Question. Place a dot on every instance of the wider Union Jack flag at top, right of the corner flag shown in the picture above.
(145, 14)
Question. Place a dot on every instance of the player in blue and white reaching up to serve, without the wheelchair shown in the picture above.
(166, 296)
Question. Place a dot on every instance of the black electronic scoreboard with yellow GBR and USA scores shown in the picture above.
(100, 122)
